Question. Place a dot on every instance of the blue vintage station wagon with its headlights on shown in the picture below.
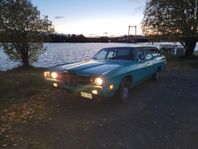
(111, 72)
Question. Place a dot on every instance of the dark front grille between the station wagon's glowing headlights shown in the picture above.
(74, 79)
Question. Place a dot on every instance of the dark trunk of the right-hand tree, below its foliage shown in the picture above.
(189, 46)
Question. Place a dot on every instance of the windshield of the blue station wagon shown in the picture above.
(115, 54)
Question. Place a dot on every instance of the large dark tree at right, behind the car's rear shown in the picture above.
(174, 19)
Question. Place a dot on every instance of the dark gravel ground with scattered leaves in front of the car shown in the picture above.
(159, 115)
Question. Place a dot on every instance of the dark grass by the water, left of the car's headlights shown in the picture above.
(20, 84)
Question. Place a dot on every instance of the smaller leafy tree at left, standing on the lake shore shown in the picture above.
(22, 26)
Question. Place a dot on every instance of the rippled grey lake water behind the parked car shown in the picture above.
(59, 53)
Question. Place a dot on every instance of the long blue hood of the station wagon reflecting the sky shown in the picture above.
(91, 67)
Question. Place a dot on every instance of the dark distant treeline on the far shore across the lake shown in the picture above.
(52, 37)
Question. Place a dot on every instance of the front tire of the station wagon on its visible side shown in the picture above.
(124, 91)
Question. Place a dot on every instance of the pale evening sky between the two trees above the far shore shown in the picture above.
(93, 17)
